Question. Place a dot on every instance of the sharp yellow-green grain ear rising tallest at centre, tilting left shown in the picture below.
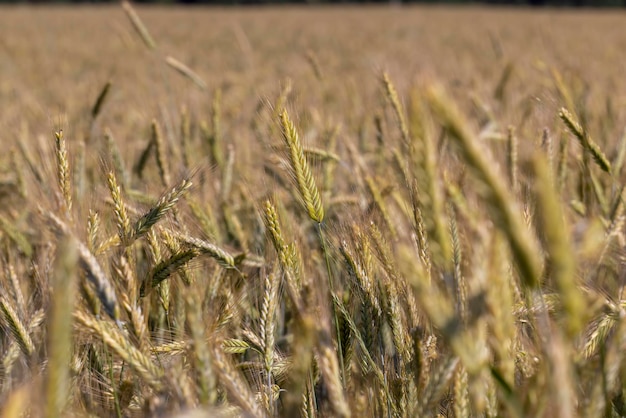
(301, 170)
